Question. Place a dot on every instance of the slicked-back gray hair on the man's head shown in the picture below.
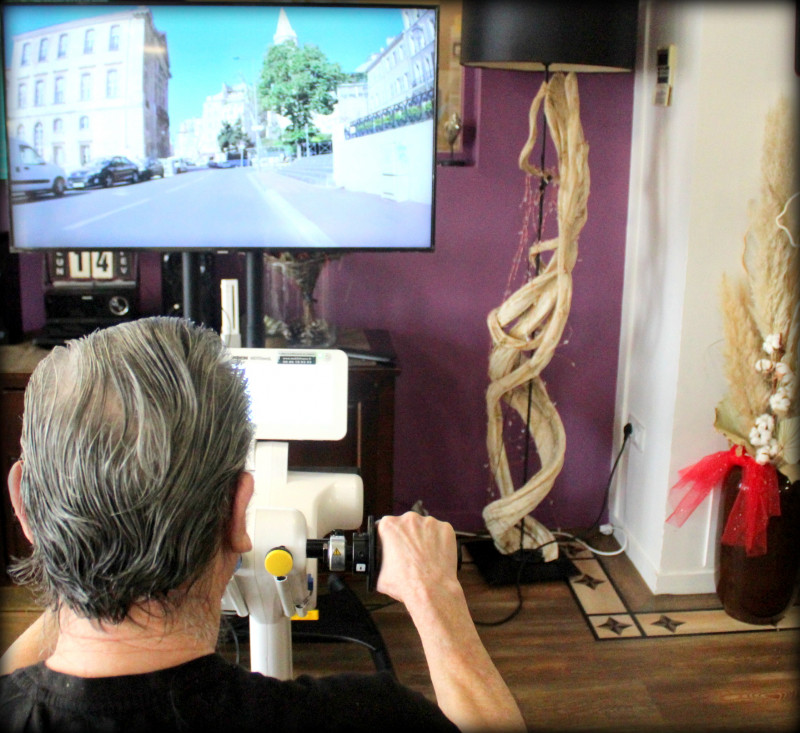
(133, 440)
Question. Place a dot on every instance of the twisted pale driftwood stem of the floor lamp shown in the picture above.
(527, 327)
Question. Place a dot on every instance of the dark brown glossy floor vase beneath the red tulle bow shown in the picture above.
(760, 589)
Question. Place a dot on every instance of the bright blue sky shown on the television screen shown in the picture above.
(225, 44)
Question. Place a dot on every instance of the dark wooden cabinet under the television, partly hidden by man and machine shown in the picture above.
(367, 447)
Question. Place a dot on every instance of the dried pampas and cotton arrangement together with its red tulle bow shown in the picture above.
(758, 415)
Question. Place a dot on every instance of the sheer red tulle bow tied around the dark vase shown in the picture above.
(758, 498)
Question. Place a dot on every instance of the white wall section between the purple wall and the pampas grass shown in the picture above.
(695, 165)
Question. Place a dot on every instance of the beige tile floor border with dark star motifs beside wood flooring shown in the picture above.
(610, 618)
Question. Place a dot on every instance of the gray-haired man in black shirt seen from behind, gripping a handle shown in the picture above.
(133, 492)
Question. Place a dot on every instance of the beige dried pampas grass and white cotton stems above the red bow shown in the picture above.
(760, 311)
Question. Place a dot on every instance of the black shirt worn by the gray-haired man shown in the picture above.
(211, 694)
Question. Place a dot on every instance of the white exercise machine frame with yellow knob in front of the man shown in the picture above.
(296, 394)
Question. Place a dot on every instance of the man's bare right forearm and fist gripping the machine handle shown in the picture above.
(419, 569)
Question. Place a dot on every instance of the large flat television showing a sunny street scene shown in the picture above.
(220, 127)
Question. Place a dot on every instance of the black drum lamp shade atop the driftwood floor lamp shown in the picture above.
(561, 36)
